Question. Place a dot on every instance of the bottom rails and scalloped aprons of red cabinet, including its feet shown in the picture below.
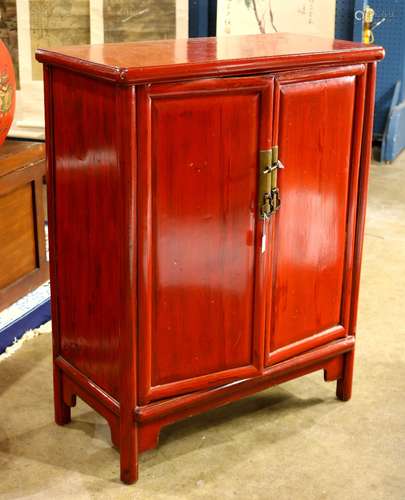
(335, 359)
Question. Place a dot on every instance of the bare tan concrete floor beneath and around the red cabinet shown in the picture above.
(292, 442)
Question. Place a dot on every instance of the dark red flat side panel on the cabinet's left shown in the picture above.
(86, 240)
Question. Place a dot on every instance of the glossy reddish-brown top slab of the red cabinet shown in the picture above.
(167, 59)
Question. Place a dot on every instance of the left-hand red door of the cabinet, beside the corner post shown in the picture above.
(201, 299)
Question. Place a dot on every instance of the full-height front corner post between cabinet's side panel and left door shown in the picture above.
(127, 268)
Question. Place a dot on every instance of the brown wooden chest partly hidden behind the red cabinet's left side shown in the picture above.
(23, 265)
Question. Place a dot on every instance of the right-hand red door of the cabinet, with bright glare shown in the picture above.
(318, 128)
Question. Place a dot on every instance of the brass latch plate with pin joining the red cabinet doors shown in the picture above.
(269, 195)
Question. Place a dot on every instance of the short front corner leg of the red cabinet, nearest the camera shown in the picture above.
(128, 452)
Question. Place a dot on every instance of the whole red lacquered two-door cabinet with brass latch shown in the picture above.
(206, 208)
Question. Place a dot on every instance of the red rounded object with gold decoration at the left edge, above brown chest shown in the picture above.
(7, 92)
